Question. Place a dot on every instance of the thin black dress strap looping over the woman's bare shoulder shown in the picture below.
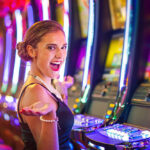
(57, 99)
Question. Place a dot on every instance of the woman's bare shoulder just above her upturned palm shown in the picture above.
(35, 93)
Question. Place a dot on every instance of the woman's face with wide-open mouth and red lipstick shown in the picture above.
(51, 53)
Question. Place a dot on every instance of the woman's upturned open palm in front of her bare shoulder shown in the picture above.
(37, 109)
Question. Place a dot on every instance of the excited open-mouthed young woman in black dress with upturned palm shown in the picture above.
(45, 119)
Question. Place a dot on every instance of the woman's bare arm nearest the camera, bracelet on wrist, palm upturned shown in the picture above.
(36, 102)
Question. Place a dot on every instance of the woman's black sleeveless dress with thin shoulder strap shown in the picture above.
(65, 123)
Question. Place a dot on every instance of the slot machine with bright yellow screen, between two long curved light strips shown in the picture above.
(104, 68)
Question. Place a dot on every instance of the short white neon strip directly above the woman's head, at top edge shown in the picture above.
(45, 7)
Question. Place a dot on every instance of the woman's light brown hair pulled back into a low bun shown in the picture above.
(34, 34)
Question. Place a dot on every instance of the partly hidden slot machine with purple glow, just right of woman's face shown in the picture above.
(78, 47)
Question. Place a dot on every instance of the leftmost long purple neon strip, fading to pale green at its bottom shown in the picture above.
(7, 59)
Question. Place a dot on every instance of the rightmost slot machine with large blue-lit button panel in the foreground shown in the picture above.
(129, 128)
